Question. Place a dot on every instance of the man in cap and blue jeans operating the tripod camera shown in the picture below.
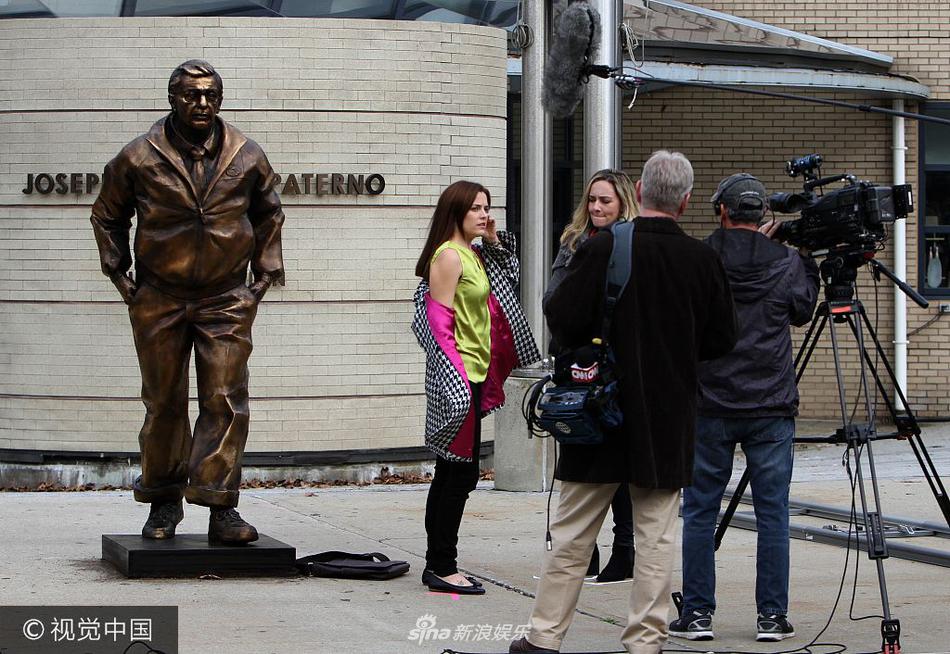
(747, 397)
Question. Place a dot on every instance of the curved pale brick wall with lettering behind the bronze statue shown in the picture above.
(335, 365)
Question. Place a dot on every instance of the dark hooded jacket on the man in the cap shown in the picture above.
(773, 286)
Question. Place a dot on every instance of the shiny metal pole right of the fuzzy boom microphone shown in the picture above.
(602, 147)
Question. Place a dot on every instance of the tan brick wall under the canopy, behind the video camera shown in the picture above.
(758, 135)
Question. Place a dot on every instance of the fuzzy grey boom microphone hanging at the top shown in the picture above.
(575, 44)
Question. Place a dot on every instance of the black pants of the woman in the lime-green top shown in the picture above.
(451, 485)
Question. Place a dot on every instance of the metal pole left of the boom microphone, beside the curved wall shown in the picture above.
(536, 170)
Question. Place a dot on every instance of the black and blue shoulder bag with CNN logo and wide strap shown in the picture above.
(583, 401)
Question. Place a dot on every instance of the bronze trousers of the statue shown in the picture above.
(206, 468)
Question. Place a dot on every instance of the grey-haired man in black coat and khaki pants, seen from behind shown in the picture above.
(676, 310)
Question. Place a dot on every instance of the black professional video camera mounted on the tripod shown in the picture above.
(853, 217)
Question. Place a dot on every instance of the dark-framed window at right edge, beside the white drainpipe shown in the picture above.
(934, 208)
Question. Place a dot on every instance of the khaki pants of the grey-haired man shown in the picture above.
(580, 514)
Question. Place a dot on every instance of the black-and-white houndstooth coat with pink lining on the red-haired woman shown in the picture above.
(450, 419)
